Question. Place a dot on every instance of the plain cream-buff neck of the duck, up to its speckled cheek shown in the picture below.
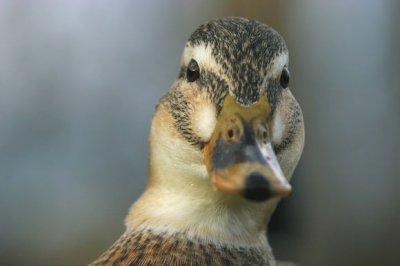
(180, 197)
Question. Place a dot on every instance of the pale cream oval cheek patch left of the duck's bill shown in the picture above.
(204, 120)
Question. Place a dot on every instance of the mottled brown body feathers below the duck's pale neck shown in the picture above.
(149, 248)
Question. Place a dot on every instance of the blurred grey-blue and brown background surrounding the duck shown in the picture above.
(78, 84)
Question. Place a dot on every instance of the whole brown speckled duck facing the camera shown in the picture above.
(224, 142)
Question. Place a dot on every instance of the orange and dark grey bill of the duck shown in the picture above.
(239, 156)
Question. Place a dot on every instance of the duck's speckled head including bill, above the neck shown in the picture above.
(229, 119)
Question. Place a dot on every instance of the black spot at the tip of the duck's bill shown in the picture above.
(257, 187)
